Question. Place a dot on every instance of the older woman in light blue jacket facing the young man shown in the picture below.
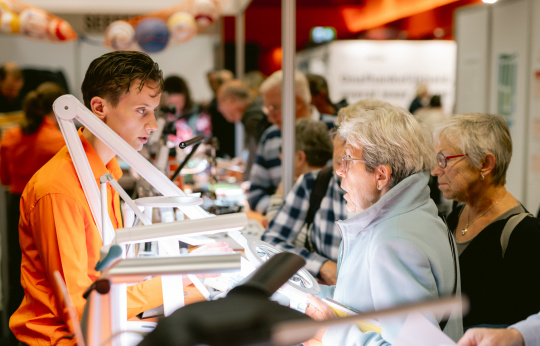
(396, 250)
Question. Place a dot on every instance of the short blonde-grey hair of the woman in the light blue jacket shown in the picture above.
(389, 135)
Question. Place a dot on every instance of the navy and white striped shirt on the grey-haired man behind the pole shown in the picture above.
(266, 170)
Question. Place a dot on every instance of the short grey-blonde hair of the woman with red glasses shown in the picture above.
(477, 134)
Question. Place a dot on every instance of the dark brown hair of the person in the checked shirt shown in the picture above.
(312, 138)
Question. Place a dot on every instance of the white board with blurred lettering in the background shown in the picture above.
(386, 70)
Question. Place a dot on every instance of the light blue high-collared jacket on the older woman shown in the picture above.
(397, 251)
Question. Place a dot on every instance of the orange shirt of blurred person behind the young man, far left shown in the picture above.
(21, 155)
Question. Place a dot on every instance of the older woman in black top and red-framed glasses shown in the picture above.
(503, 285)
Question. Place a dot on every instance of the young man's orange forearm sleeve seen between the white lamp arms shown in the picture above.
(143, 296)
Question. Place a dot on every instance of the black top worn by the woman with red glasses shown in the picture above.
(501, 291)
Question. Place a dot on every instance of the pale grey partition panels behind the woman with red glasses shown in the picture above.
(512, 82)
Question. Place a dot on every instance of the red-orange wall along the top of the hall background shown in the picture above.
(412, 19)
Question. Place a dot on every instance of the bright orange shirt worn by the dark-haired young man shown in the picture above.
(57, 232)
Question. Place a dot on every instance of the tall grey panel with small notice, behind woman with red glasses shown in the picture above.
(509, 83)
